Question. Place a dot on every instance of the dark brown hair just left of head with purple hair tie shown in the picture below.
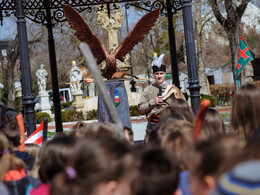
(54, 157)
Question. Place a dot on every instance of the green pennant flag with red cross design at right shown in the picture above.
(245, 56)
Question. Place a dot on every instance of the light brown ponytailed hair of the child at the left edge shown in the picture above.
(7, 160)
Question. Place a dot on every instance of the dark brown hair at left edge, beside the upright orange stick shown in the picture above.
(12, 131)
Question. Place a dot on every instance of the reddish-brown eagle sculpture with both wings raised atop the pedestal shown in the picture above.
(100, 52)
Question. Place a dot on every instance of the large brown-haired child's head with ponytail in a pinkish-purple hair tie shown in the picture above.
(98, 166)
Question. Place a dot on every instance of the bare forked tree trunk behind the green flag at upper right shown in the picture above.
(231, 23)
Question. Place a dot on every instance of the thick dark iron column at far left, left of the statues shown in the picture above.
(27, 98)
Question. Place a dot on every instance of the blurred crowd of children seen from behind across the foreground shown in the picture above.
(92, 160)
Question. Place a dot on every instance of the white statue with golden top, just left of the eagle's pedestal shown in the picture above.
(75, 78)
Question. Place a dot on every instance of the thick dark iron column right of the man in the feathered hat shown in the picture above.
(194, 86)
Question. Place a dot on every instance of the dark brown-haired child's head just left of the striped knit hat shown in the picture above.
(212, 158)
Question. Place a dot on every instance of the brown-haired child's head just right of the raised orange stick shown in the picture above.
(213, 124)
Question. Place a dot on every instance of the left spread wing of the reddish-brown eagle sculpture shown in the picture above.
(85, 34)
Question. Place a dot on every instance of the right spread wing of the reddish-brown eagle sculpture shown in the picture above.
(143, 26)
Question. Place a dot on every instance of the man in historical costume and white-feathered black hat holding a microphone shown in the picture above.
(157, 96)
